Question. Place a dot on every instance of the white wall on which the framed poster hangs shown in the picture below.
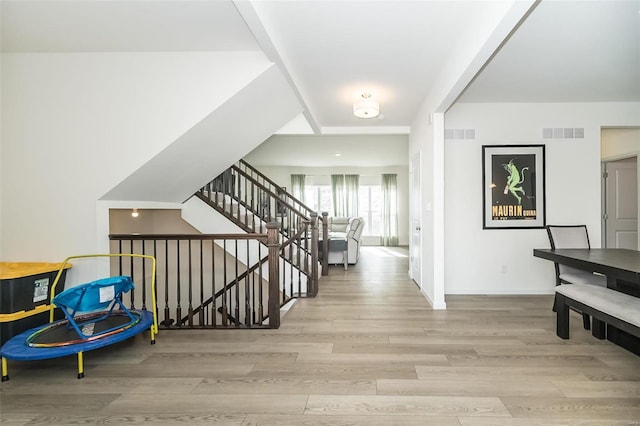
(501, 261)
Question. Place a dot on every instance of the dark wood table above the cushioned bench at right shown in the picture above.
(620, 266)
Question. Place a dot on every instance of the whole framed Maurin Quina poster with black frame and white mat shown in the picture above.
(513, 187)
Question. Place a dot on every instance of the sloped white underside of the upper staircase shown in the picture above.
(208, 148)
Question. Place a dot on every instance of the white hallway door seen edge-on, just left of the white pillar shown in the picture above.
(415, 219)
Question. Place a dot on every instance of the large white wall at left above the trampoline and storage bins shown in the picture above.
(76, 124)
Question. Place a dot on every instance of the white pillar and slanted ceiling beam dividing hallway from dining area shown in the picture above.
(467, 58)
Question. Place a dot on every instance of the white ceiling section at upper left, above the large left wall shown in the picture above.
(123, 26)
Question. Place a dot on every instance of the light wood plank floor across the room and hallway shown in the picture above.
(368, 350)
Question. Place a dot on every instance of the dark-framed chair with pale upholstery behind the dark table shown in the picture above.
(573, 236)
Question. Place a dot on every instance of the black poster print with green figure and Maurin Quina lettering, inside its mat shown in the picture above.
(513, 193)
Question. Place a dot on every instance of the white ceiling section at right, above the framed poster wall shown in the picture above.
(567, 51)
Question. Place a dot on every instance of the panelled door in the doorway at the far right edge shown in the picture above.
(621, 203)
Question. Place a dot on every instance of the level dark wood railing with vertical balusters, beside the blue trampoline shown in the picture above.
(212, 281)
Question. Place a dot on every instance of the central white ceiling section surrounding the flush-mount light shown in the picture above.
(336, 50)
